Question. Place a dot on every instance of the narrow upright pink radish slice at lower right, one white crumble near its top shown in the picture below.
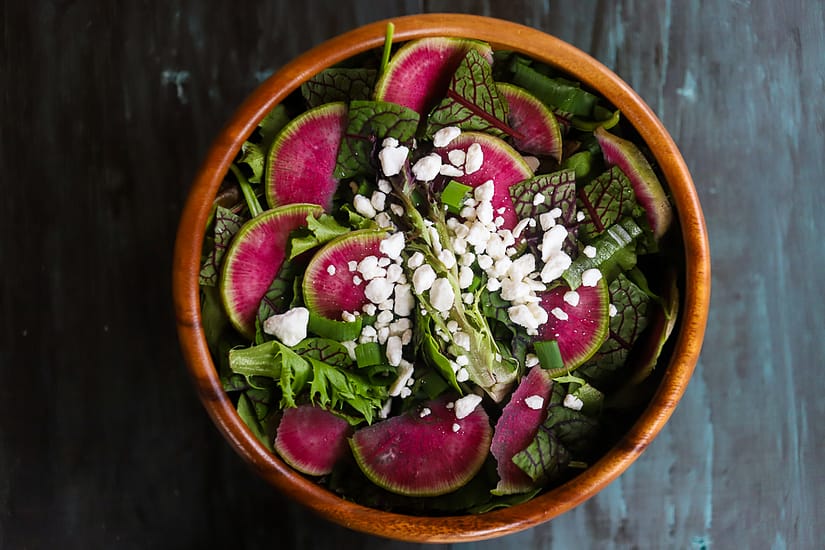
(517, 427)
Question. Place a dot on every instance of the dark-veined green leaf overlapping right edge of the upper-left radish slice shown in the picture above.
(369, 123)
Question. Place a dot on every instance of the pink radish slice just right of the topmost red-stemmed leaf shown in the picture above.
(539, 131)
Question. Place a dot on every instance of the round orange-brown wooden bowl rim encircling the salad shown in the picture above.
(687, 339)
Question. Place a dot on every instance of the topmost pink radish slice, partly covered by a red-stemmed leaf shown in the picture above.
(419, 73)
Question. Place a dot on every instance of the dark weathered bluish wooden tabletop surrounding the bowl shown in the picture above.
(106, 110)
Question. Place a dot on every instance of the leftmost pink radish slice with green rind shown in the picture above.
(254, 258)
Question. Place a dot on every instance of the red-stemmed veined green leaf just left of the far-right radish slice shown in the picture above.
(606, 200)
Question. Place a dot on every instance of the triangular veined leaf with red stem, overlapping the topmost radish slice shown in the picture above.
(473, 101)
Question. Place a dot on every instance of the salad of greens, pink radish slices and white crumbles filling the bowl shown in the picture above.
(436, 278)
